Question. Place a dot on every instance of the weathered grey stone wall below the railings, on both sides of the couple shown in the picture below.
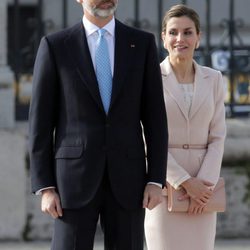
(20, 215)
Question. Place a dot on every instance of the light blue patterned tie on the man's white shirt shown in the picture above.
(103, 69)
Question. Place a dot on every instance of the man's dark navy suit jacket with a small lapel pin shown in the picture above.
(72, 140)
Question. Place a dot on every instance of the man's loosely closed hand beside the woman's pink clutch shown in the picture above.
(152, 196)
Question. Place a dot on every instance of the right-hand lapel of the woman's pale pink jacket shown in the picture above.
(201, 89)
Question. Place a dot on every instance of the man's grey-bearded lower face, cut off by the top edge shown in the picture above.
(99, 8)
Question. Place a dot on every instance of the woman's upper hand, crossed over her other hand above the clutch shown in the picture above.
(198, 190)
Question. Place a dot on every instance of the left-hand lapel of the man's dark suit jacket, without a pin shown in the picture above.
(77, 47)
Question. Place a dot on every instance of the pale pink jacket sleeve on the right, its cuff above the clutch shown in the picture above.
(211, 166)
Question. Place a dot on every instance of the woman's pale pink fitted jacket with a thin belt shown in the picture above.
(203, 125)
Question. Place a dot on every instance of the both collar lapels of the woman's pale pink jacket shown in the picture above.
(202, 86)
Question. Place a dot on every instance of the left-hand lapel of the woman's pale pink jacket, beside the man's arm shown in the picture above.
(172, 87)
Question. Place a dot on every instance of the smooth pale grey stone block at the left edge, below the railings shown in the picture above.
(12, 184)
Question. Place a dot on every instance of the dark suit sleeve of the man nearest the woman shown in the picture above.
(154, 118)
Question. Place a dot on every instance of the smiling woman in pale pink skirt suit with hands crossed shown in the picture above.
(194, 97)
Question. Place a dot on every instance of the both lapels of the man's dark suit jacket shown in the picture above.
(77, 47)
